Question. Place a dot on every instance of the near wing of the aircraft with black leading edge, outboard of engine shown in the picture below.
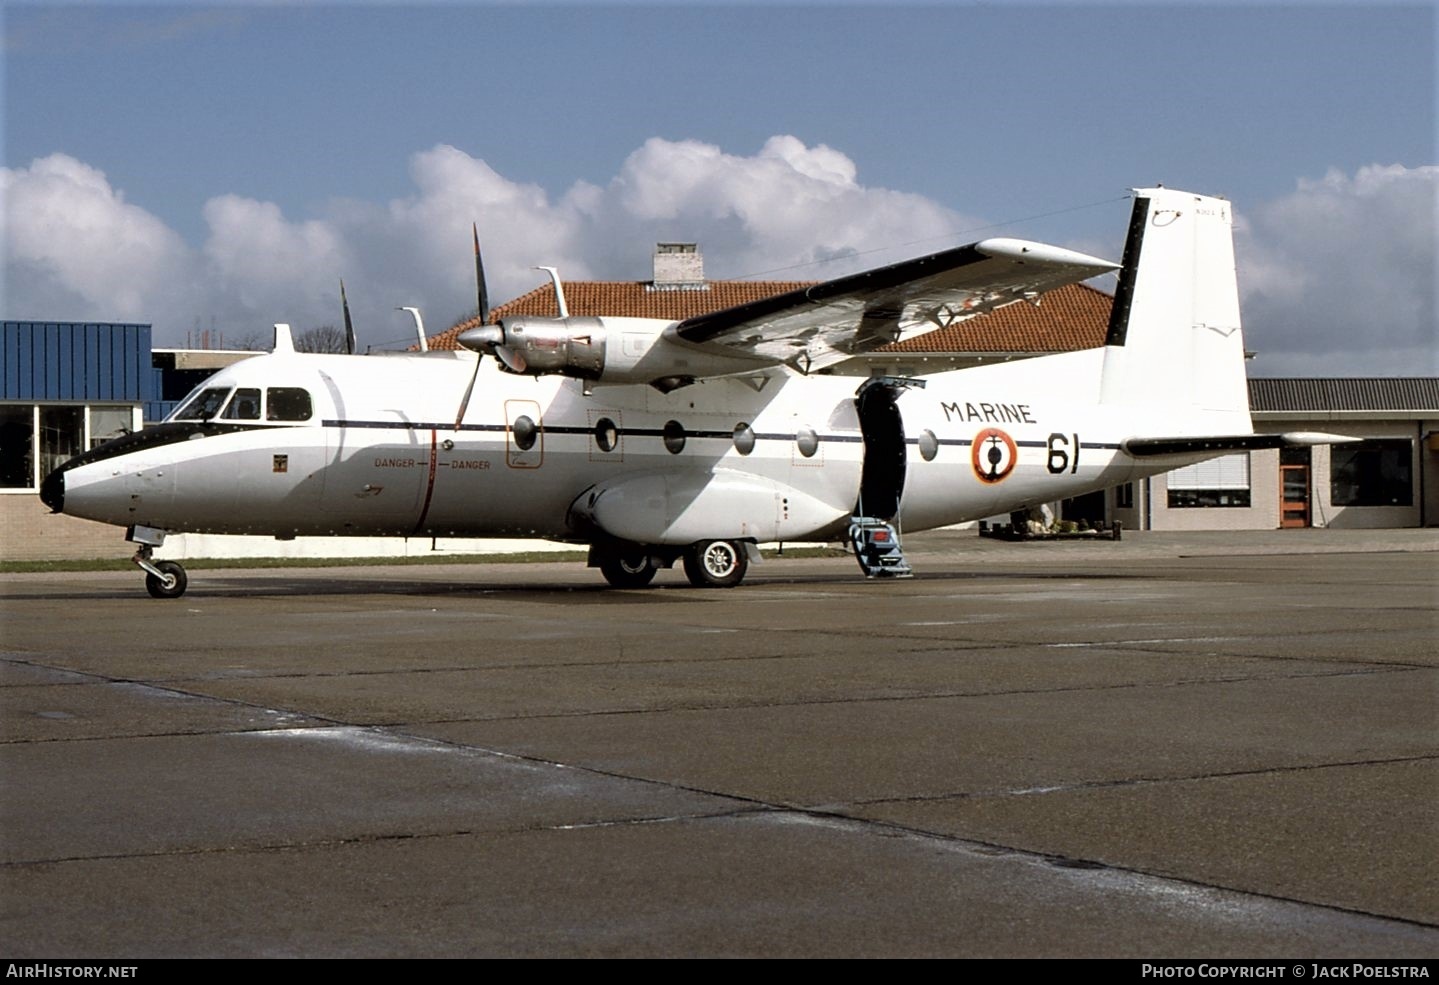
(830, 323)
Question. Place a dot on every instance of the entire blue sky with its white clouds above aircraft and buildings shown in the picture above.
(348, 140)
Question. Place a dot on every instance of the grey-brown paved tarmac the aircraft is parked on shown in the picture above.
(1178, 746)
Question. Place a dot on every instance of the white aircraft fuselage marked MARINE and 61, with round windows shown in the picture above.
(379, 454)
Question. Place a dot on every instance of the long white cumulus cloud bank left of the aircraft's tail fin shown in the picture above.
(77, 249)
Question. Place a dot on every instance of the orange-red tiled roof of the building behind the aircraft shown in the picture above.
(1071, 319)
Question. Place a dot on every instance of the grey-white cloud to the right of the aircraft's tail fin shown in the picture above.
(1339, 277)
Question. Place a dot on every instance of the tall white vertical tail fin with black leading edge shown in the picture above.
(1175, 339)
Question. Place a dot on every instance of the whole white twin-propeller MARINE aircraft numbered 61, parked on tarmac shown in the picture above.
(697, 441)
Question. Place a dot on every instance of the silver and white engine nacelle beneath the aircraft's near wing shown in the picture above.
(602, 350)
